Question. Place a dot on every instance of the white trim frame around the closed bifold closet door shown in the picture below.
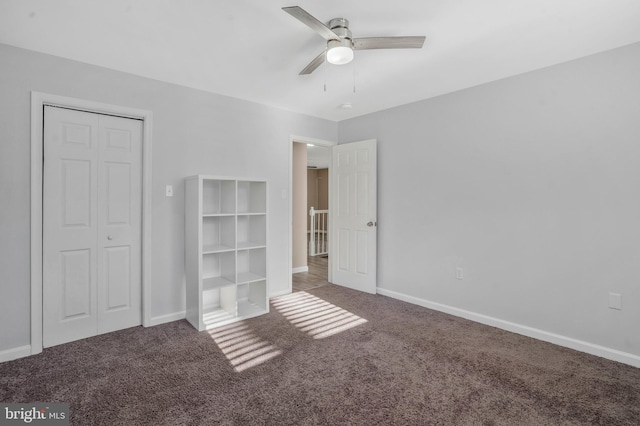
(38, 102)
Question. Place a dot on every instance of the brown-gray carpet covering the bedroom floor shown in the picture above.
(329, 356)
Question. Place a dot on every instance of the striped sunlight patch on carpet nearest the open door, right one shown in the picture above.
(315, 316)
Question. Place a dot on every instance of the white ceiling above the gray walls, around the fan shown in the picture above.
(251, 49)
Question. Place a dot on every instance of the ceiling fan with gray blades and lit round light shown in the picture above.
(340, 43)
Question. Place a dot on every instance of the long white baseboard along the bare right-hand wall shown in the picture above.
(579, 345)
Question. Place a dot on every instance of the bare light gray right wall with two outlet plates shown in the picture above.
(532, 185)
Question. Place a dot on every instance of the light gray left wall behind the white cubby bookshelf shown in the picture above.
(193, 132)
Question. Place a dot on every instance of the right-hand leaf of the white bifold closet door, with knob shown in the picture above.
(119, 223)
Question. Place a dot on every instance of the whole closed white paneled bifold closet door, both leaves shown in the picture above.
(92, 217)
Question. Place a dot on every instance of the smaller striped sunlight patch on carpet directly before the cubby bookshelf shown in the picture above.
(242, 347)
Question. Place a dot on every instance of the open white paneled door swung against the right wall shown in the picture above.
(354, 215)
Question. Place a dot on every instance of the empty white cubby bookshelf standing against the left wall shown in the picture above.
(225, 250)
